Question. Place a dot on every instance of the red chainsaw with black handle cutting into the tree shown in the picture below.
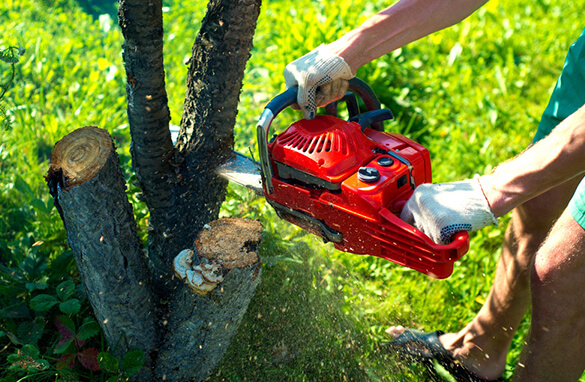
(346, 181)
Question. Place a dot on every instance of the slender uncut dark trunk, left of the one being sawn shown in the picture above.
(148, 117)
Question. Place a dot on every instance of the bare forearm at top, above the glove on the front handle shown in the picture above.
(398, 25)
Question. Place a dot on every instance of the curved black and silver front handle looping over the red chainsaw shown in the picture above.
(288, 98)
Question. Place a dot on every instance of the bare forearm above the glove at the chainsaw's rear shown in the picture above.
(550, 162)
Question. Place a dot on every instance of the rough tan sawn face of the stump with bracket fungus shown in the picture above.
(232, 242)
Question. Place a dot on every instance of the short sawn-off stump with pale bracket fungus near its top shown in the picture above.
(204, 319)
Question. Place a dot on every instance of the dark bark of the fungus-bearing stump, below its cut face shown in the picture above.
(205, 325)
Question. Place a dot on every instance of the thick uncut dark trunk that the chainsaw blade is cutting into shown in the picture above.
(215, 75)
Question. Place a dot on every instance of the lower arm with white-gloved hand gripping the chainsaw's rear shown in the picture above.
(441, 209)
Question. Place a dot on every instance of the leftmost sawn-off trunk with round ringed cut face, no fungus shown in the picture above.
(88, 188)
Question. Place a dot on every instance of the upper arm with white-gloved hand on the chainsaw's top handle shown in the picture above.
(322, 74)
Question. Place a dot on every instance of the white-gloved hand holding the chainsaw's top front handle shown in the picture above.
(321, 76)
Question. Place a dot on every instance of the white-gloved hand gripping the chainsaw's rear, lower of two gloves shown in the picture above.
(440, 210)
